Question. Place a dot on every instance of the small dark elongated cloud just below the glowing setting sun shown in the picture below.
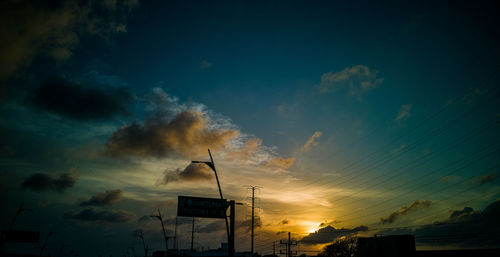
(329, 233)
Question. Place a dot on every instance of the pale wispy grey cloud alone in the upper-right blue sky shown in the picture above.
(359, 79)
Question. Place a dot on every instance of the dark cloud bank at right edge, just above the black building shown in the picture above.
(463, 228)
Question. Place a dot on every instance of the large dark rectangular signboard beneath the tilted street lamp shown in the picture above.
(188, 206)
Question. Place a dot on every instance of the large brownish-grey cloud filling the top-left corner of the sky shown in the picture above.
(54, 29)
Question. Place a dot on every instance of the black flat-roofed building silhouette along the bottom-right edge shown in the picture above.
(404, 246)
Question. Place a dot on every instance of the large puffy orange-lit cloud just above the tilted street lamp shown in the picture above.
(187, 134)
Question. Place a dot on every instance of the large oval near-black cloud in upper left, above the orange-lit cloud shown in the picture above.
(77, 101)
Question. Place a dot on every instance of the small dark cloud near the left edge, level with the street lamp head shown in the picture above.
(42, 182)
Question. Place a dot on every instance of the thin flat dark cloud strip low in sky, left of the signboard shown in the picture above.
(91, 214)
